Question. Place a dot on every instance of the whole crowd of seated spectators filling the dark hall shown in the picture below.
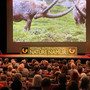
(45, 75)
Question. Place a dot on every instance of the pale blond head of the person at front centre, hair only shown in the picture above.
(37, 80)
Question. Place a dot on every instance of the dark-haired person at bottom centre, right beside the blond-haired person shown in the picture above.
(46, 84)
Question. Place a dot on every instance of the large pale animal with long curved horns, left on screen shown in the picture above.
(29, 9)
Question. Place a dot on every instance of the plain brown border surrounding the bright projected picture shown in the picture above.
(14, 47)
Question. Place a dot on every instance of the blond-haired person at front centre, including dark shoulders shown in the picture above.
(36, 83)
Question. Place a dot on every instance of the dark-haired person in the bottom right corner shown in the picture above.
(85, 81)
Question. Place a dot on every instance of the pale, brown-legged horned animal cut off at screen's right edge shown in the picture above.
(79, 11)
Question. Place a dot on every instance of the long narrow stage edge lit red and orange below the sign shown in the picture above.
(44, 56)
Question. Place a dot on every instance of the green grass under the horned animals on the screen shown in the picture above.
(62, 29)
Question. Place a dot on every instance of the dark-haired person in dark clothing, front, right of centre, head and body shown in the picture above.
(62, 82)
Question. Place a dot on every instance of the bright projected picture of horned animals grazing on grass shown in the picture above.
(49, 20)
